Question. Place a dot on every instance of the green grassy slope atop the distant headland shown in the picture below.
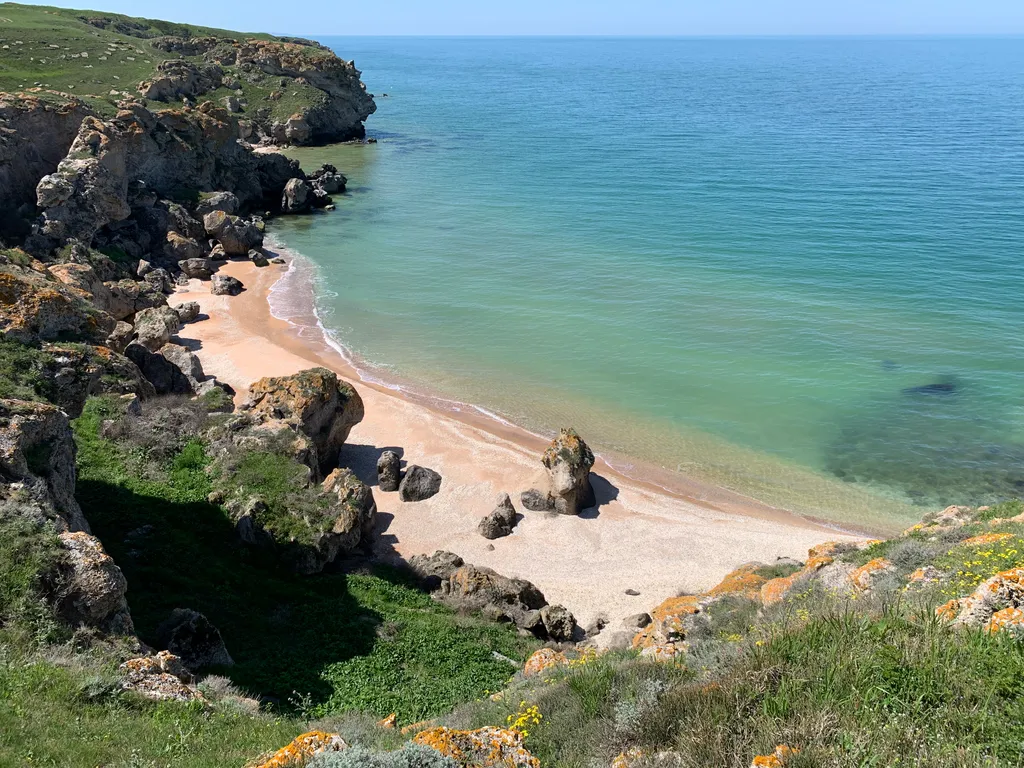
(42, 47)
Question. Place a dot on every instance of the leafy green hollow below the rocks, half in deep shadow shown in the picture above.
(320, 645)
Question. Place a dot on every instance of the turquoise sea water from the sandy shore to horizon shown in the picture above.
(795, 268)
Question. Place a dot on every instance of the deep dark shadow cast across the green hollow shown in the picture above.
(281, 629)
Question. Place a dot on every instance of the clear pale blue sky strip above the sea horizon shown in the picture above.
(321, 18)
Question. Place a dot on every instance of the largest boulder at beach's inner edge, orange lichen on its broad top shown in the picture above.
(315, 404)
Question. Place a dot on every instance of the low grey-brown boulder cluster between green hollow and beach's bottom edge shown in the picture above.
(500, 599)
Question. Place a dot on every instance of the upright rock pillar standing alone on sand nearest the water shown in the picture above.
(569, 461)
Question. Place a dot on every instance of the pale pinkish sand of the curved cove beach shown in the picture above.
(644, 538)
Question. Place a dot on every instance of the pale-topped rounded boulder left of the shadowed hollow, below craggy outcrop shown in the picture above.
(95, 594)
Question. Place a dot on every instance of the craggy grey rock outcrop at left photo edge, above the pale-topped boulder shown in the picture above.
(37, 461)
